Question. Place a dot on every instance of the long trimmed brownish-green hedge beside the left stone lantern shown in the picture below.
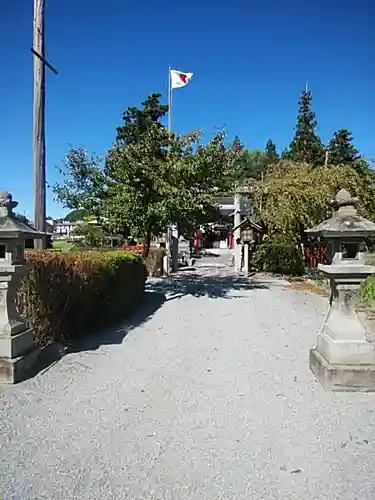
(67, 295)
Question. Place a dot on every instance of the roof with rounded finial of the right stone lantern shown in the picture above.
(345, 221)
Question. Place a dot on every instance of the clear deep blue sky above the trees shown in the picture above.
(250, 61)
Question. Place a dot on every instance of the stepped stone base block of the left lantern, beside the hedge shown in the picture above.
(20, 356)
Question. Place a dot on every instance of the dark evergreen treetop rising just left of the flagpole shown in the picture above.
(138, 120)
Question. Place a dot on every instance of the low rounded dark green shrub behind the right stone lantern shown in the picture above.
(279, 257)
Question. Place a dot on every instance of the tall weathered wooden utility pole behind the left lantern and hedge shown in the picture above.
(39, 147)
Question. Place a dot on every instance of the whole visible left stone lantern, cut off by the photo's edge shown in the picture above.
(17, 350)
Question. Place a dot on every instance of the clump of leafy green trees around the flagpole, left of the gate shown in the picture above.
(150, 179)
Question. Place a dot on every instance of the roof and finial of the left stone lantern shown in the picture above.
(10, 227)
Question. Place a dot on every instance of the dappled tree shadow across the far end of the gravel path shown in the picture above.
(198, 285)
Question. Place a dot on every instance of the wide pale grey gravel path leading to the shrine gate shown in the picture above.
(208, 397)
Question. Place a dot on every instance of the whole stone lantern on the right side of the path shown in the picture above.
(344, 357)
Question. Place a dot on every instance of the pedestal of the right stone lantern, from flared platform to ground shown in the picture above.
(344, 356)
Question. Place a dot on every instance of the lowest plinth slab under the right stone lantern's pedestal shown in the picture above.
(342, 378)
